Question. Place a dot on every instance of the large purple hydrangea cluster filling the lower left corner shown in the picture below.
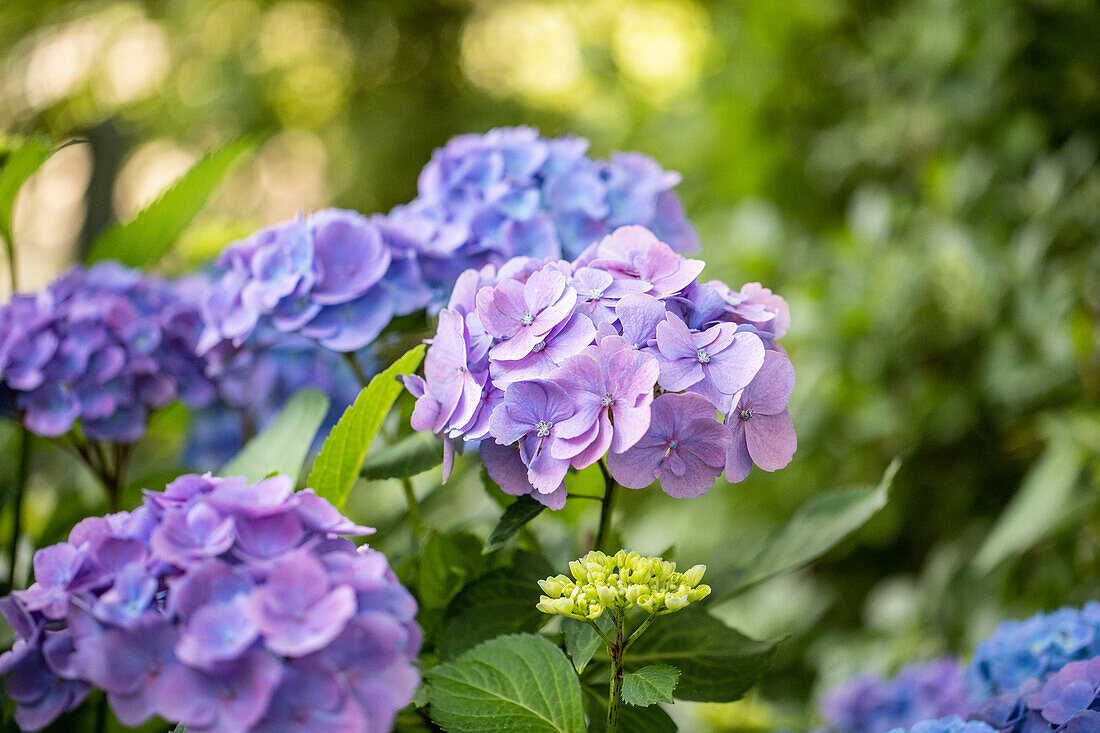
(218, 605)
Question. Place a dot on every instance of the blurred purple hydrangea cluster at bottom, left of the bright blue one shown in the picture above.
(918, 693)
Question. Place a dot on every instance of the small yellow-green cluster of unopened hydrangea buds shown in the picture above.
(620, 583)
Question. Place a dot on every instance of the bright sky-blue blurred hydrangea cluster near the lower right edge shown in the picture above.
(1035, 649)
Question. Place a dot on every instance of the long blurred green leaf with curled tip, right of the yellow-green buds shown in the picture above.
(817, 528)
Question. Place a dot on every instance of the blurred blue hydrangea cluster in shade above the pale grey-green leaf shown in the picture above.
(254, 386)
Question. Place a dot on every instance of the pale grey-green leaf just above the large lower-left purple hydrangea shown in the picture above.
(283, 446)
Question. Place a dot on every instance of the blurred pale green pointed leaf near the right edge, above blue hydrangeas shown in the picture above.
(1043, 504)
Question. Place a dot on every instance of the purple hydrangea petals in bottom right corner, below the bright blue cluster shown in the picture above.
(1068, 703)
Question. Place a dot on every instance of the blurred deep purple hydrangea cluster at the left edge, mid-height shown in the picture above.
(103, 346)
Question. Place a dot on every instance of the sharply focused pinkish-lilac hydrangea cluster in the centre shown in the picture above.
(624, 354)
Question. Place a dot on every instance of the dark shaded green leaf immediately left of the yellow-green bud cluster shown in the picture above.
(502, 603)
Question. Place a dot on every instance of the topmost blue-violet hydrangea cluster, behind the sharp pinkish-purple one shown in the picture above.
(512, 193)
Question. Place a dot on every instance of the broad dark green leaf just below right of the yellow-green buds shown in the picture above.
(717, 663)
